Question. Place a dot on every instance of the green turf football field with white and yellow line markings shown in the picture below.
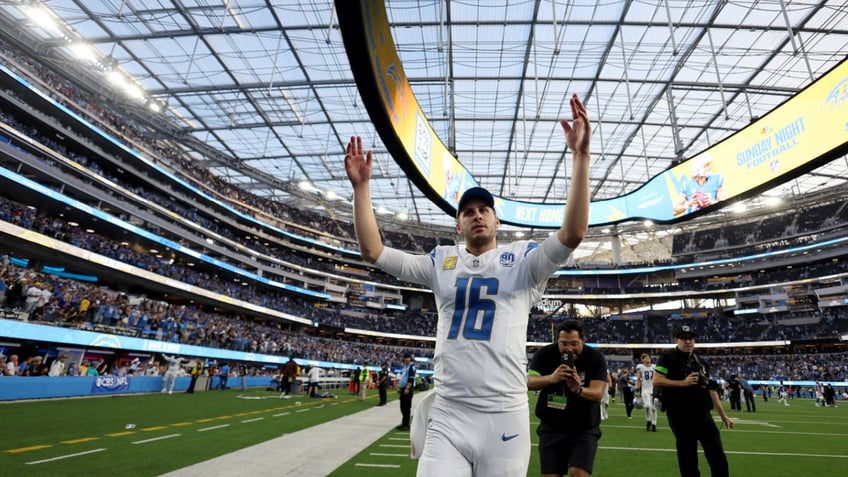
(90, 436)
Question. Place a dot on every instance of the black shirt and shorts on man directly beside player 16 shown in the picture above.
(570, 425)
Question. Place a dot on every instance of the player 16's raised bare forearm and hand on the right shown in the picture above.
(577, 135)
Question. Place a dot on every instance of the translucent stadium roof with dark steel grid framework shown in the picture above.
(268, 86)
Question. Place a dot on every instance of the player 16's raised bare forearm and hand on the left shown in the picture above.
(358, 167)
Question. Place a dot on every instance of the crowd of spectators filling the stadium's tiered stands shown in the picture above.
(64, 302)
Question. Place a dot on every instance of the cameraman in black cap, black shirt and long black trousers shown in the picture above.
(688, 394)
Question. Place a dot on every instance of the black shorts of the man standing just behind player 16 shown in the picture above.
(559, 450)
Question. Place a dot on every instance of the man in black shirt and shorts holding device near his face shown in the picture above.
(572, 379)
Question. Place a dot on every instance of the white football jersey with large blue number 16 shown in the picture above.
(483, 304)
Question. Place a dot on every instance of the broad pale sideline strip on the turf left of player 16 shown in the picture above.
(316, 451)
